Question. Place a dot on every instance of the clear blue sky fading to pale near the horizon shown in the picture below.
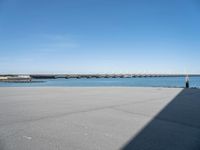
(99, 36)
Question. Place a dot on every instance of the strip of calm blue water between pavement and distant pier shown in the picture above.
(125, 82)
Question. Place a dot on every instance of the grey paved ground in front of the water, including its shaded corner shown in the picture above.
(99, 119)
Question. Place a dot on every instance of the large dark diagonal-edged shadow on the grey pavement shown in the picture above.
(176, 127)
